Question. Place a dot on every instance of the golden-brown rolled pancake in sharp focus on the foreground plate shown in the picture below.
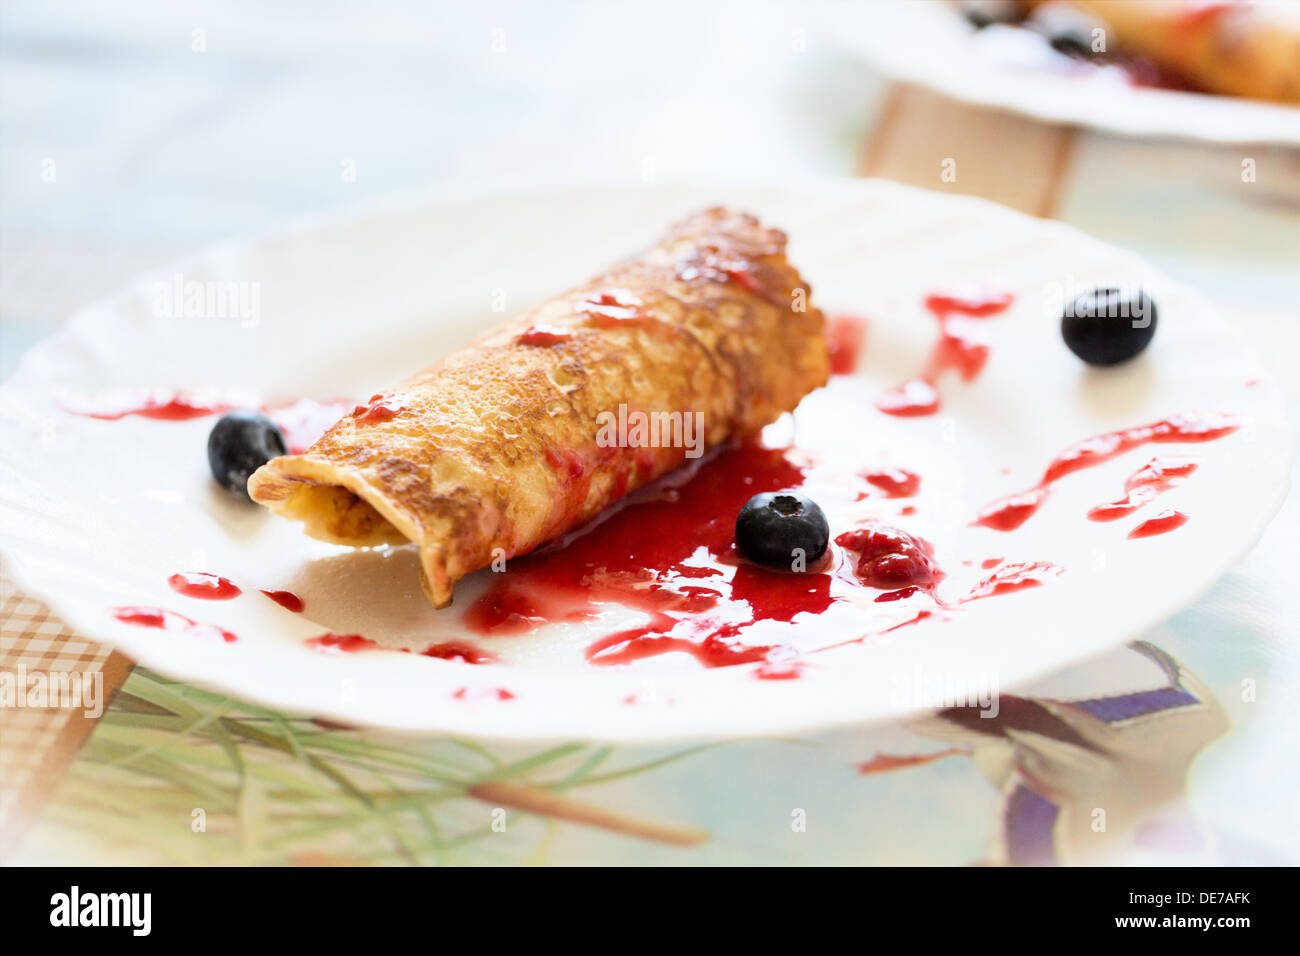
(508, 444)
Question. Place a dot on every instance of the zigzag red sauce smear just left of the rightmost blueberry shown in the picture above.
(961, 348)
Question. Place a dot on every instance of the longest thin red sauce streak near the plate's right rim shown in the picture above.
(1012, 512)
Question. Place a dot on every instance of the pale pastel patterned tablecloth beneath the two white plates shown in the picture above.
(135, 136)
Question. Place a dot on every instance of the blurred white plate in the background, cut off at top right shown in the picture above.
(1007, 68)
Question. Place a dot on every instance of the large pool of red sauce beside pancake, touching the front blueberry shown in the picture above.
(673, 557)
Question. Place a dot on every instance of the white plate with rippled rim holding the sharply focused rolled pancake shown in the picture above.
(98, 514)
